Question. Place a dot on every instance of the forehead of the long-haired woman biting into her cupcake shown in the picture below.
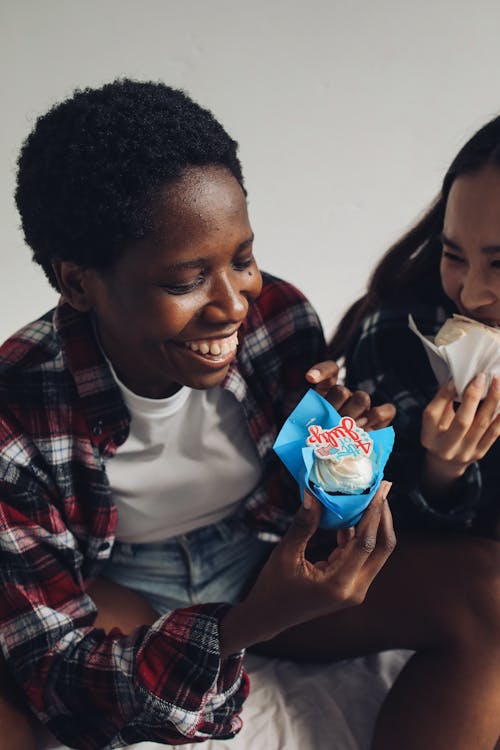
(473, 207)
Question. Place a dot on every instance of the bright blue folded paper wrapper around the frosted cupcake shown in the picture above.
(340, 511)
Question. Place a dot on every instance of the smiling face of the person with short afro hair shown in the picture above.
(168, 312)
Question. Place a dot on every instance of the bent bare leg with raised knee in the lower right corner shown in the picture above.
(441, 598)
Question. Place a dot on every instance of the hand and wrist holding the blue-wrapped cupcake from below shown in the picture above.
(291, 590)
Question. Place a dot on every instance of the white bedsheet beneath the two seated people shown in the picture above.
(306, 706)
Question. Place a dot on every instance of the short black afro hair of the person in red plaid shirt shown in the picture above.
(91, 171)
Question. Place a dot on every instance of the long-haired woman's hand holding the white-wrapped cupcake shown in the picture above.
(455, 439)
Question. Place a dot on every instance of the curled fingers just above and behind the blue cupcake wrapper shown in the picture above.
(357, 405)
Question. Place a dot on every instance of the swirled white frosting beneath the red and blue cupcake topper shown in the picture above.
(348, 475)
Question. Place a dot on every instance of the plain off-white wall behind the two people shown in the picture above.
(347, 113)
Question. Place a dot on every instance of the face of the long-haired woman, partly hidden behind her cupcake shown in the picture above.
(470, 263)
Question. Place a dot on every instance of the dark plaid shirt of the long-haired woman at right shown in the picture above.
(387, 359)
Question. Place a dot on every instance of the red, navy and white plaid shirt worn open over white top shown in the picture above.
(61, 418)
